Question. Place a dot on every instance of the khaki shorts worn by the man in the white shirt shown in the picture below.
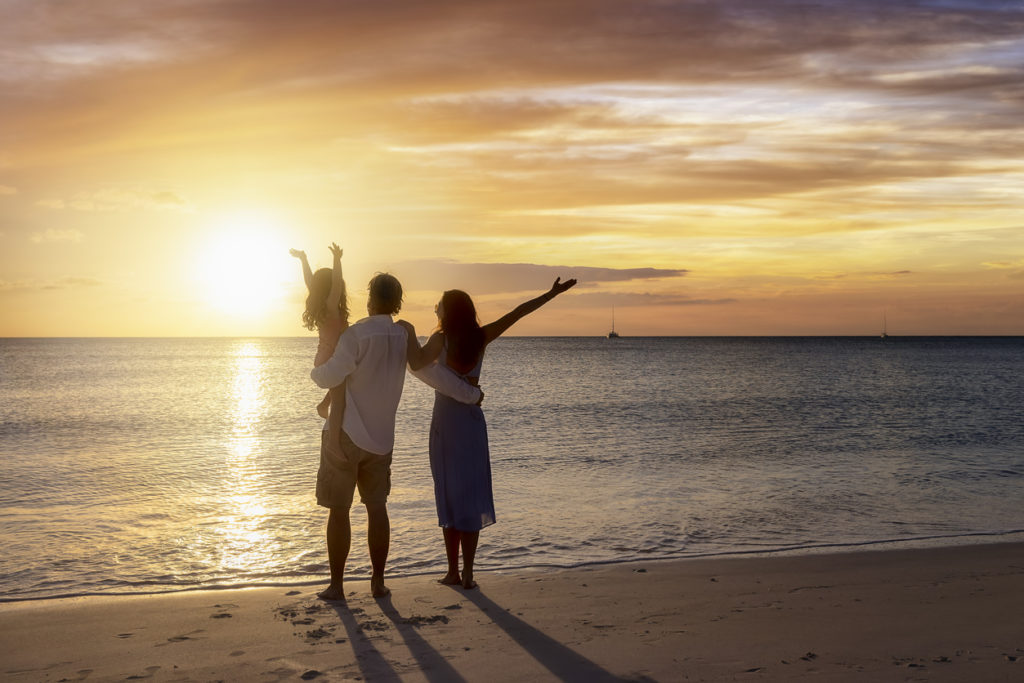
(342, 472)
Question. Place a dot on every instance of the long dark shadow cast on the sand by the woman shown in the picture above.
(563, 662)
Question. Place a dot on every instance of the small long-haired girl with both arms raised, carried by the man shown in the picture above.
(327, 312)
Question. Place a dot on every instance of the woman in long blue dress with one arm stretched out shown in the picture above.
(460, 461)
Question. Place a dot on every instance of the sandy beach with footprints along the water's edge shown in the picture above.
(932, 615)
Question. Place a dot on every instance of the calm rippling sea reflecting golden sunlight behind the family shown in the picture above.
(134, 465)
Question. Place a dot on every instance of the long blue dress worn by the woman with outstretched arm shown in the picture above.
(460, 463)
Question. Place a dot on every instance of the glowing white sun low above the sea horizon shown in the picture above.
(244, 268)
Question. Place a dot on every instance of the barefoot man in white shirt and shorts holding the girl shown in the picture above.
(357, 446)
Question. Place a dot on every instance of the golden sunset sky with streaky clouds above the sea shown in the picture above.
(732, 167)
